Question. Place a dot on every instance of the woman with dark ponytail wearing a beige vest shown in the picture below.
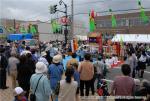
(68, 87)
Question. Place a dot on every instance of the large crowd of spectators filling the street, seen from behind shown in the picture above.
(40, 73)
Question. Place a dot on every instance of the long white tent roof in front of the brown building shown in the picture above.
(129, 38)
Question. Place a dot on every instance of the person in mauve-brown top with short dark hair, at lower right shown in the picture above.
(123, 85)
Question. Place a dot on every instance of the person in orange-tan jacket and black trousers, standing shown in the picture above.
(86, 70)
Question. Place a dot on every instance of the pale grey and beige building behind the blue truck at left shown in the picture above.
(44, 29)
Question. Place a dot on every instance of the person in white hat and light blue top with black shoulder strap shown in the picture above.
(43, 90)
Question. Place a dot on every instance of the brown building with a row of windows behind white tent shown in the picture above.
(129, 23)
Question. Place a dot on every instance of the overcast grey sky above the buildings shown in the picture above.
(38, 9)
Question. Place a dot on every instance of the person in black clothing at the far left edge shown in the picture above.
(3, 67)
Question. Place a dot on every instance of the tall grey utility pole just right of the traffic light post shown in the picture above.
(72, 20)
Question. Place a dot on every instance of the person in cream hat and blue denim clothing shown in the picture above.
(55, 71)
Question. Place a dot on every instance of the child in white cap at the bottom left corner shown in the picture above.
(19, 94)
